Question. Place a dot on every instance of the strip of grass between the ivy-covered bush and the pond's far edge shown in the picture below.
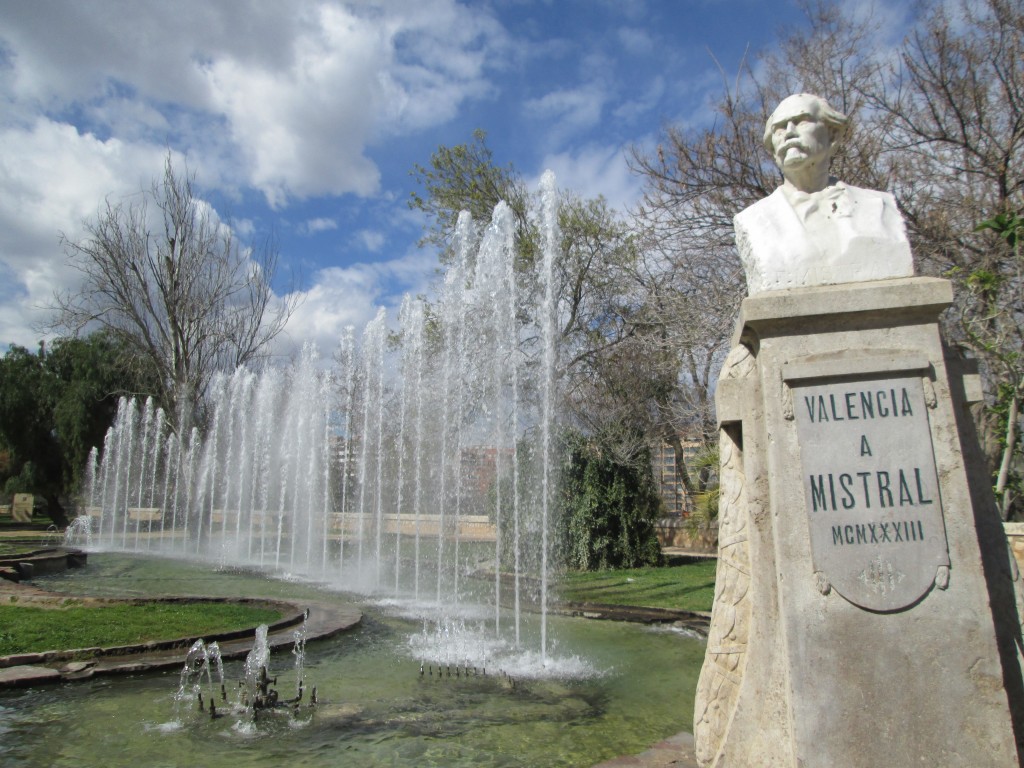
(687, 587)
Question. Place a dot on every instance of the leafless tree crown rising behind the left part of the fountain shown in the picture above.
(178, 288)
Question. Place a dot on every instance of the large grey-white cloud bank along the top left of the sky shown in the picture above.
(300, 91)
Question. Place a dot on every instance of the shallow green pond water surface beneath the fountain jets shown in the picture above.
(619, 690)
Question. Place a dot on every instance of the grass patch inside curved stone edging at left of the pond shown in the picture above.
(26, 630)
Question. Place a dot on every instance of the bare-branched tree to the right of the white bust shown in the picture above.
(942, 125)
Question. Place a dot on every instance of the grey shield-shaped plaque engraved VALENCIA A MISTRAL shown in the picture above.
(878, 536)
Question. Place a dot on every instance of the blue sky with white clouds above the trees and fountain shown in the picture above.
(304, 119)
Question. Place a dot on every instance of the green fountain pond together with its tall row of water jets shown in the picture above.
(418, 476)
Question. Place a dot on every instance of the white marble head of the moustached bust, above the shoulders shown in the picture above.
(801, 136)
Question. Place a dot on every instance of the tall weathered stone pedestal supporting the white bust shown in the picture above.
(866, 611)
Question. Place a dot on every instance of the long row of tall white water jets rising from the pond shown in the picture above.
(449, 424)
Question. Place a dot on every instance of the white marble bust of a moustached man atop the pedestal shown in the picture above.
(815, 230)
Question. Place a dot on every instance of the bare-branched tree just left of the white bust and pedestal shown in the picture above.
(691, 273)
